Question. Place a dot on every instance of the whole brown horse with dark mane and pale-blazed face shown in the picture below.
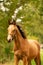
(24, 49)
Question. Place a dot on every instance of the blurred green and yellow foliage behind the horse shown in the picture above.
(28, 14)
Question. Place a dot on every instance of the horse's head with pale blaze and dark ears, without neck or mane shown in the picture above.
(11, 30)
